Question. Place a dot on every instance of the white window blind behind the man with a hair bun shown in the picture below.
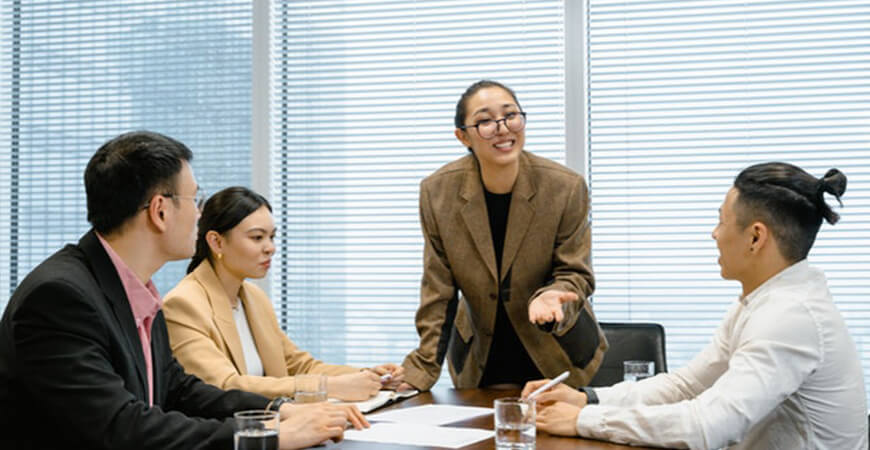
(685, 94)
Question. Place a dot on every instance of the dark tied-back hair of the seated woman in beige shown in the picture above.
(222, 212)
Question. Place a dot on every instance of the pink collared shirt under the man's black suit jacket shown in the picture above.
(145, 302)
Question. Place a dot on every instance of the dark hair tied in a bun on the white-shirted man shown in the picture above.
(788, 200)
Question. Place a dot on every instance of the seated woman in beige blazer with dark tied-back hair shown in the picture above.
(223, 329)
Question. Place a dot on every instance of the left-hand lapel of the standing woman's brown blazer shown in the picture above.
(475, 217)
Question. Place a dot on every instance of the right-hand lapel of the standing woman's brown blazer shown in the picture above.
(520, 215)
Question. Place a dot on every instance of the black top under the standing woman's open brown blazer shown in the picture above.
(508, 360)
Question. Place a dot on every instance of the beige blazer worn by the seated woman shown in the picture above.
(205, 340)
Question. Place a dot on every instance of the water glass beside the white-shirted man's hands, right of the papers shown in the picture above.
(514, 423)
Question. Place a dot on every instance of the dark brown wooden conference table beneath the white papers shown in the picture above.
(479, 397)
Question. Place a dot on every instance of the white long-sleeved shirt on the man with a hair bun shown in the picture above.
(782, 372)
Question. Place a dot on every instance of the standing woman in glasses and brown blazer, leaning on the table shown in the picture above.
(506, 248)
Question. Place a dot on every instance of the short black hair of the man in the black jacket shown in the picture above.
(126, 171)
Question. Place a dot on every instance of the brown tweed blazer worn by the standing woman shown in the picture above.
(547, 246)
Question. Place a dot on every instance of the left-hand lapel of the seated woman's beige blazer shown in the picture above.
(223, 313)
